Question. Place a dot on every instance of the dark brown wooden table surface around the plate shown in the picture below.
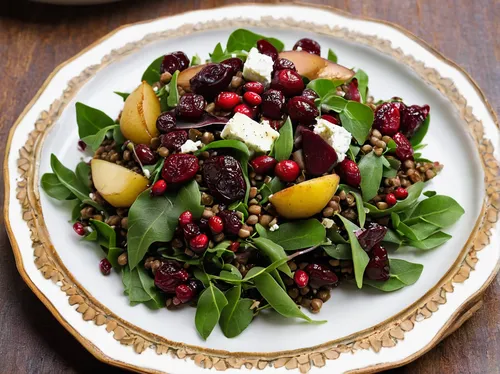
(34, 39)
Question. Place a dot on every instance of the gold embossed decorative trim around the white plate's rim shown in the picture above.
(390, 335)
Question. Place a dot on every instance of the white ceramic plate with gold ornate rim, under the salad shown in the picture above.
(382, 330)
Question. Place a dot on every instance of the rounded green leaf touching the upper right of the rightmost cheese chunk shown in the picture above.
(357, 118)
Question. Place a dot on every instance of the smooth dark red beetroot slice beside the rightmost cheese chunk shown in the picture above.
(319, 156)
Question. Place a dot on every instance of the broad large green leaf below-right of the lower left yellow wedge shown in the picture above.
(154, 219)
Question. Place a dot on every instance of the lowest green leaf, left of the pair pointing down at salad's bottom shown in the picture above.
(210, 305)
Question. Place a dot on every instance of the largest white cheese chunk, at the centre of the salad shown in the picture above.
(258, 137)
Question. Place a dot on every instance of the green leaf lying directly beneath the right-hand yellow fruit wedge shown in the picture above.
(298, 234)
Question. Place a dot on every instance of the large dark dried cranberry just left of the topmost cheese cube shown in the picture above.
(212, 79)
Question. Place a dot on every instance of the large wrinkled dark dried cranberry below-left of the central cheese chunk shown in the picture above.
(224, 178)
